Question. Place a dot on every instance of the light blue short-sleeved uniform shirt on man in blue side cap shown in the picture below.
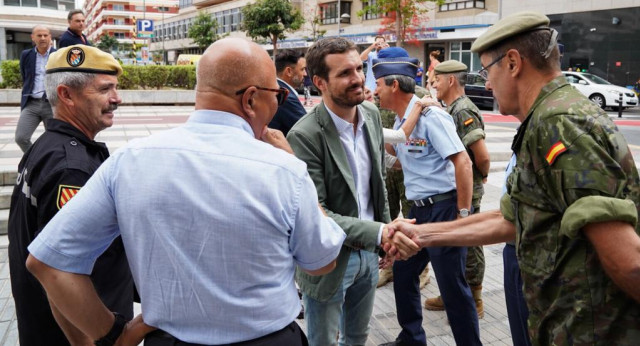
(427, 171)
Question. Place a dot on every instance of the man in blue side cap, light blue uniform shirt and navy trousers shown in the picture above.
(437, 177)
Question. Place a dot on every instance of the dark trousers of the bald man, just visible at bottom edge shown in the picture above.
(289, 335)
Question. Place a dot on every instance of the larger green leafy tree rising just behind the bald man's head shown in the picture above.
(271, 19)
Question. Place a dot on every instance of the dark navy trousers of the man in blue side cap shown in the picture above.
(449, 267)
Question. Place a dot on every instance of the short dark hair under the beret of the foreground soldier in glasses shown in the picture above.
(531, 45)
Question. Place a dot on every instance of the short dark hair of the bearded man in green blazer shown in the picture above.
(316, 62)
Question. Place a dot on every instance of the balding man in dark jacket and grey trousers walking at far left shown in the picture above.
(34, 105)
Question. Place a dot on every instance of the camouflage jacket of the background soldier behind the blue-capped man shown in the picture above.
(470, 129)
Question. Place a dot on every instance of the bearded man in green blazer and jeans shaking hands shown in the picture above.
(341, 142)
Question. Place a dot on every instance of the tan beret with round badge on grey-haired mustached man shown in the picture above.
(81, 58)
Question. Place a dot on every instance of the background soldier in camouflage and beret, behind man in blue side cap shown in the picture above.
(450, 78)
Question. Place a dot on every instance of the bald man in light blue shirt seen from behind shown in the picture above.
(214, 221)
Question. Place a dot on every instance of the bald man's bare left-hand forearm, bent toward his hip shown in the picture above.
(75, 298)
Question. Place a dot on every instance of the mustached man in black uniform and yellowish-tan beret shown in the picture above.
(81, 85)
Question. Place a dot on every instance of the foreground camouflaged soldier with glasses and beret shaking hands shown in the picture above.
(572, 200)
